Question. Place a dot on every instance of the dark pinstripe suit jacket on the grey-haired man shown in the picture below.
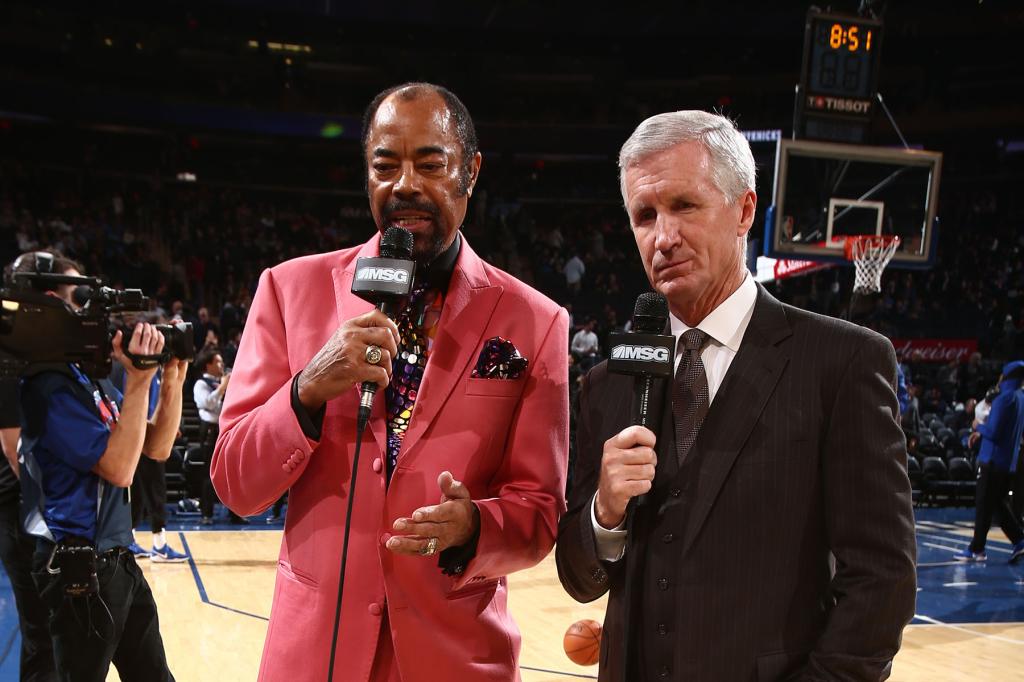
(785, 547)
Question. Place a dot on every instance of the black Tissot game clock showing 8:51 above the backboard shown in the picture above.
(841, 65)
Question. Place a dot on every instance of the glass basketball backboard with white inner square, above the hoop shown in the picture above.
(827, 192)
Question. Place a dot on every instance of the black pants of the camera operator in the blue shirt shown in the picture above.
(119, 625)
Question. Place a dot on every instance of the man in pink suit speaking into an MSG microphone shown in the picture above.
(466, 450)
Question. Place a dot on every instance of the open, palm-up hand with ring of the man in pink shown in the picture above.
(453, 523)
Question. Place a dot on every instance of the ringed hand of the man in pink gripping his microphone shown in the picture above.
(342, 363)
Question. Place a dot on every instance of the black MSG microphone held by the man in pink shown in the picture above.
(388, 282)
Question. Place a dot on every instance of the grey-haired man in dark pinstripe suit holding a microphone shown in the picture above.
(775, 539)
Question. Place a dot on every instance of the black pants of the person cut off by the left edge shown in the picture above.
(17, 549)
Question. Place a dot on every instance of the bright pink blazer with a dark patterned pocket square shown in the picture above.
(506, 440)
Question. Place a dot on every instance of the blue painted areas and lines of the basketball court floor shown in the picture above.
(950, 592)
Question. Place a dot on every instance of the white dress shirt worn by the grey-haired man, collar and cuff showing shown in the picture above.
(726, 327)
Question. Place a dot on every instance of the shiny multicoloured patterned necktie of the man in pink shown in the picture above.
(417, 329)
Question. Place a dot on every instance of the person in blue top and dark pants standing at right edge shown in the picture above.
(999, 460)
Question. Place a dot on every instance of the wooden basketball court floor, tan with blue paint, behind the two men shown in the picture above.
(214, 611)
